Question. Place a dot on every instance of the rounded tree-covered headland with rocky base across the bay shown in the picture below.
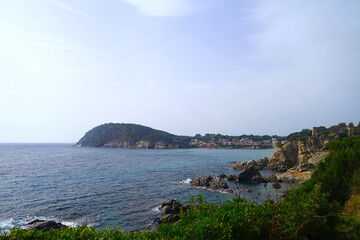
(130, 136)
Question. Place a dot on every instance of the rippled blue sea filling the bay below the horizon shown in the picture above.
(102, 187)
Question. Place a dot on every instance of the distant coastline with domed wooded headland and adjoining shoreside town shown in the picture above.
(123, 135)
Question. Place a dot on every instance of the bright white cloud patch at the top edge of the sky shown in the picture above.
(163, 8)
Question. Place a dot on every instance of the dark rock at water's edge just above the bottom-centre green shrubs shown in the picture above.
(170, 211)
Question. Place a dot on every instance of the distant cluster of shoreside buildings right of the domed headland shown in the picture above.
(235, 143)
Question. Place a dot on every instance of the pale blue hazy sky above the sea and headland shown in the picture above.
(183, 66)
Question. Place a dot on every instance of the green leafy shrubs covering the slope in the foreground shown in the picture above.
(319, 209)
